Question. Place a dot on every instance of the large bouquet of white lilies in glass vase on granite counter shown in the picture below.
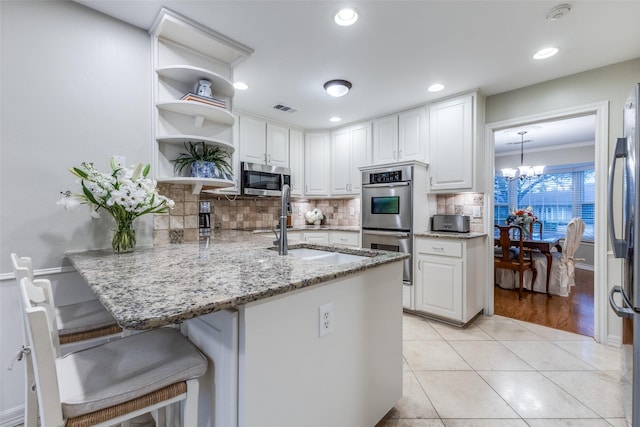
(125, 193)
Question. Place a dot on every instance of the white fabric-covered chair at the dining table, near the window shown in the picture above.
(562, 276)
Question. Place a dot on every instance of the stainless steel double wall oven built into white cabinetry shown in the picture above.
(387, 211)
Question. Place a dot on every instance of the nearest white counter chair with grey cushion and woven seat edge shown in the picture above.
(113, 382)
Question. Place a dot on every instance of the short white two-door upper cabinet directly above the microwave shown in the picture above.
(262, 142)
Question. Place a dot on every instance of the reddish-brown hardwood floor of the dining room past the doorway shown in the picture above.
(573, 313)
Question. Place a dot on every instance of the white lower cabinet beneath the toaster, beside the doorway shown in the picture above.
(448, 277)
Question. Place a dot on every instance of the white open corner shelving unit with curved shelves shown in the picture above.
(185, 52)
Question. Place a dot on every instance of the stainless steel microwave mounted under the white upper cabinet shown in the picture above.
(263, 180)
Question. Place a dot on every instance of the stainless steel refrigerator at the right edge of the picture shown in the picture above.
(625, 165)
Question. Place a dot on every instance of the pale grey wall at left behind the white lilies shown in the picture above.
(76, 86)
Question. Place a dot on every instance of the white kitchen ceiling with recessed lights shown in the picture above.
(397, 48)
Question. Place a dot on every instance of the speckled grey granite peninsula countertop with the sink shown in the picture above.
(161, 285)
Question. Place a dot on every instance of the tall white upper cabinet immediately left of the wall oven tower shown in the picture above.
(350, 150)
